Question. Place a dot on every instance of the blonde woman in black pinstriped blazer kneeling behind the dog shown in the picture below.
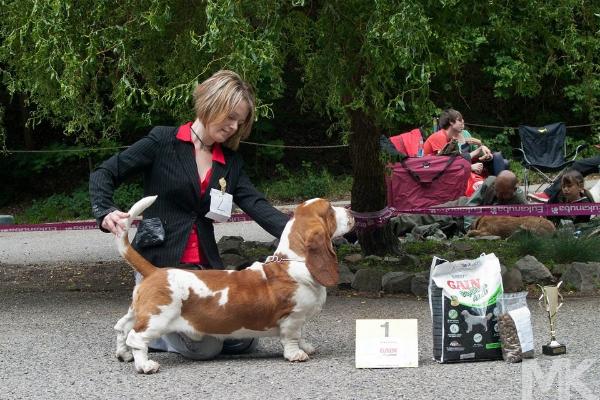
(181, 165)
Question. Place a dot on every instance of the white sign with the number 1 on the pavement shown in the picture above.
(386, 343)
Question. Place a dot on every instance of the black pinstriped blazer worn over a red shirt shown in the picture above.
(169, 169)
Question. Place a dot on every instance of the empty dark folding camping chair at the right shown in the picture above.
(544, 152)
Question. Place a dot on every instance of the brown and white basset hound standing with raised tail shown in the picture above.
(274, 298)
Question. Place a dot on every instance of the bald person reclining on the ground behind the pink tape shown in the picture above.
(495, 190)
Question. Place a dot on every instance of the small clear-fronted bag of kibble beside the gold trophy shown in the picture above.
(514, 321)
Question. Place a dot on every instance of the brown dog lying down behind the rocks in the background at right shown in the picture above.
(505, 226)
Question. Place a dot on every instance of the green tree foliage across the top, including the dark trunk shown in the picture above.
(98, 68)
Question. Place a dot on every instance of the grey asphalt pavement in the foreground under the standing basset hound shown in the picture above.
(60, 346)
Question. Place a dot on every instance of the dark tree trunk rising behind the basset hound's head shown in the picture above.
(368, 188)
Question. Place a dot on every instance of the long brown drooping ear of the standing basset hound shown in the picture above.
(320, 257)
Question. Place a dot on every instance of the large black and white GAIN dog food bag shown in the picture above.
(462, 299)
